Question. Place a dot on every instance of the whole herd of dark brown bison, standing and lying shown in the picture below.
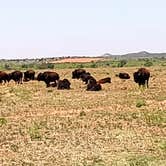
(52, 79)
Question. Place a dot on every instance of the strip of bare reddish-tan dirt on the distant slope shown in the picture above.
(77, 60)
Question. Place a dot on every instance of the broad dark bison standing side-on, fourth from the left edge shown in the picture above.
(48, 77)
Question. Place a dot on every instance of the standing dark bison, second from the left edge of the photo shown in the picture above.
(16, 76)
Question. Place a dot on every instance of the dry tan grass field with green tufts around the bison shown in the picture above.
(120, 125)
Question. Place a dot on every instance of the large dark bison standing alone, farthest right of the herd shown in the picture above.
(142, 77)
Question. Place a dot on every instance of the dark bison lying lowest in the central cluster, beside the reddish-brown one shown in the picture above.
(93, 85)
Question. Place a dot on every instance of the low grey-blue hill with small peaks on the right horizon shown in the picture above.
(138, 55)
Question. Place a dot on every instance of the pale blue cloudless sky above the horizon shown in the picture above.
(53, 28)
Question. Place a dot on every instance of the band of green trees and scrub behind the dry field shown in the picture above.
(42, 64)
